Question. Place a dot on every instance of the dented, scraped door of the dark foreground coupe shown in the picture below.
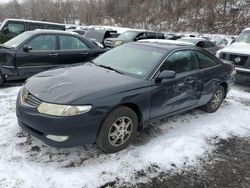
(181, 92)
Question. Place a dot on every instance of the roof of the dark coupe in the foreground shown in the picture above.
(169, 47)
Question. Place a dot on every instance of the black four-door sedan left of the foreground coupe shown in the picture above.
(35, 51)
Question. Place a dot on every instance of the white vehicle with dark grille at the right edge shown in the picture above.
(239, 54)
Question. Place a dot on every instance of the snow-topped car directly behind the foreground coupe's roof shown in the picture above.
(202, 43)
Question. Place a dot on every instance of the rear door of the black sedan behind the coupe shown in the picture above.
(73, 50)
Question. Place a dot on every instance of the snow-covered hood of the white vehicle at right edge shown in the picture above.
(237, 47)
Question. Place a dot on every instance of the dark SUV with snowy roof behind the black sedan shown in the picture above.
(10, 28)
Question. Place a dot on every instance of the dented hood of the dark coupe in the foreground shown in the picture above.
(65, 85)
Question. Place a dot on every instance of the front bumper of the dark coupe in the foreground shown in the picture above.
(81, 129)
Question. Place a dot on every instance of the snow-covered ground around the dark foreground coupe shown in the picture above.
(177, 143)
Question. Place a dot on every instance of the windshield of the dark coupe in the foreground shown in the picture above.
(131, 59)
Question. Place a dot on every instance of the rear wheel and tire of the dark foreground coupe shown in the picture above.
(215, 102)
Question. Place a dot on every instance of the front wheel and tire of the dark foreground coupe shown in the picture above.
(118, 130)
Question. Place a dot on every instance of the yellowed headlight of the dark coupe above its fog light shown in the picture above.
(62, 110)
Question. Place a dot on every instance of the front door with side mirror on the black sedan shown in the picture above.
(42, 55)
